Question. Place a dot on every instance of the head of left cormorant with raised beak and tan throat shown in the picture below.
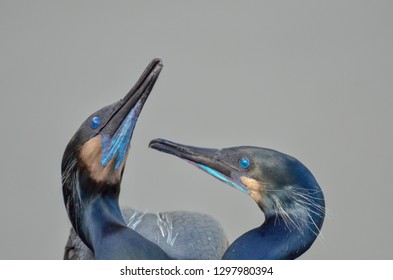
(94, 159)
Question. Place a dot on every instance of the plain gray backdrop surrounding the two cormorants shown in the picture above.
(312, 79)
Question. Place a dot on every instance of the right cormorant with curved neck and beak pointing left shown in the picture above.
(284, 189)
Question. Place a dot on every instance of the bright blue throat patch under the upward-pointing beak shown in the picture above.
(118, 145)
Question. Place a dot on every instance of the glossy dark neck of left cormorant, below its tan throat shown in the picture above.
(96, 217)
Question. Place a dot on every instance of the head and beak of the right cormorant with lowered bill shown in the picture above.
(280, 184)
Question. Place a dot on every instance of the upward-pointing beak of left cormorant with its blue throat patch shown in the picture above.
(117, 132)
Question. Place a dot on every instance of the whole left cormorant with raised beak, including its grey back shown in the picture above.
(92, 169)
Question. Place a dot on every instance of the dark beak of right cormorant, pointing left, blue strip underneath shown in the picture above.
(209, 160)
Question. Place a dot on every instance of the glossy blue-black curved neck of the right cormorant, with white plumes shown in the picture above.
(283, 235)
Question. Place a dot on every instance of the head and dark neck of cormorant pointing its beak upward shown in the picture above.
(91, 181)
